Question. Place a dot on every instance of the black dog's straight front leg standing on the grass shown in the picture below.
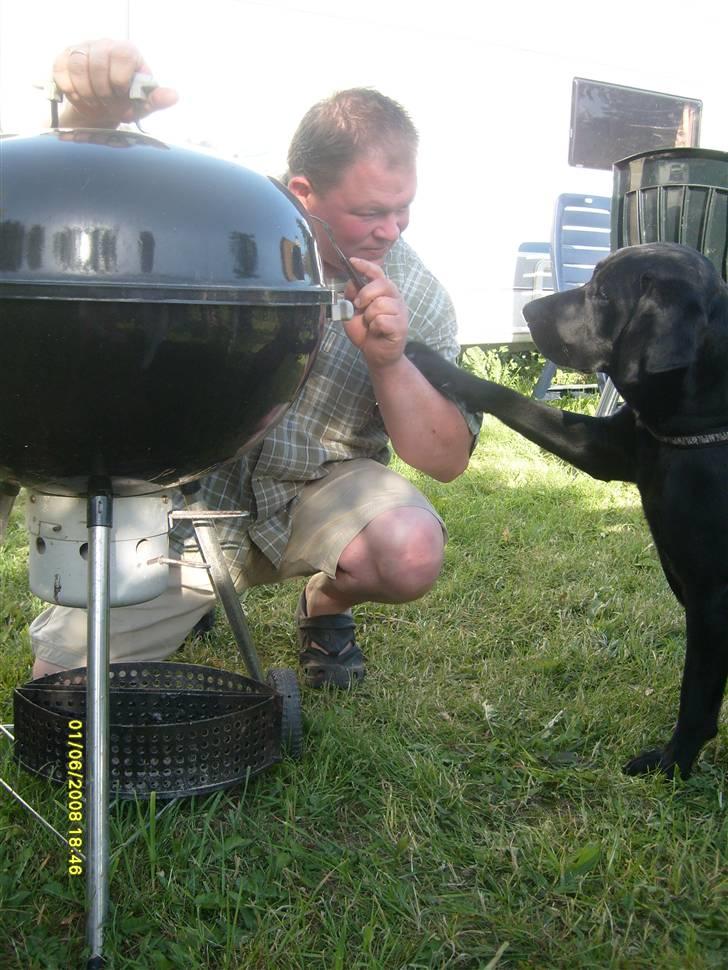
(701, 694)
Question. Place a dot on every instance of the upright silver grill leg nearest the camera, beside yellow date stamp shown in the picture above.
(97, 719)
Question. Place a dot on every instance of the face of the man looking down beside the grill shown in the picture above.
(367, 210)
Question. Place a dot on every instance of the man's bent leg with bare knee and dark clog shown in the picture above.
(367, 534)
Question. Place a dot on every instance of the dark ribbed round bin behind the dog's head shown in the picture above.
(673, 195)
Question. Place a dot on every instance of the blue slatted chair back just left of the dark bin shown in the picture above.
(580, 238)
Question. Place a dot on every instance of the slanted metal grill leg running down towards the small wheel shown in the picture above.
(222, 583)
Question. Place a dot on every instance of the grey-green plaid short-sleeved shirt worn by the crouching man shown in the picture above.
(335, 418)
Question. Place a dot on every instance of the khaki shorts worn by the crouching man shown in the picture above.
(328, 514)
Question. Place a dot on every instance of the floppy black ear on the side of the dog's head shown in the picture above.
(662, 333)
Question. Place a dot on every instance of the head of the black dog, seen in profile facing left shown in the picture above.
(642, 313)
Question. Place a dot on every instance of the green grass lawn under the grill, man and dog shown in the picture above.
(464, 808)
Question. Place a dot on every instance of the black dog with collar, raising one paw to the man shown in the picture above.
(655, 319)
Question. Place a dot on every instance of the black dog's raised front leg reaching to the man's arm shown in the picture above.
(601, 447)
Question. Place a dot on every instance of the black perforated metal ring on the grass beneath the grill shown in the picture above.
(175, 729)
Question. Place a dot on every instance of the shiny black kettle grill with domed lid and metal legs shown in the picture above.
(159, 311)
